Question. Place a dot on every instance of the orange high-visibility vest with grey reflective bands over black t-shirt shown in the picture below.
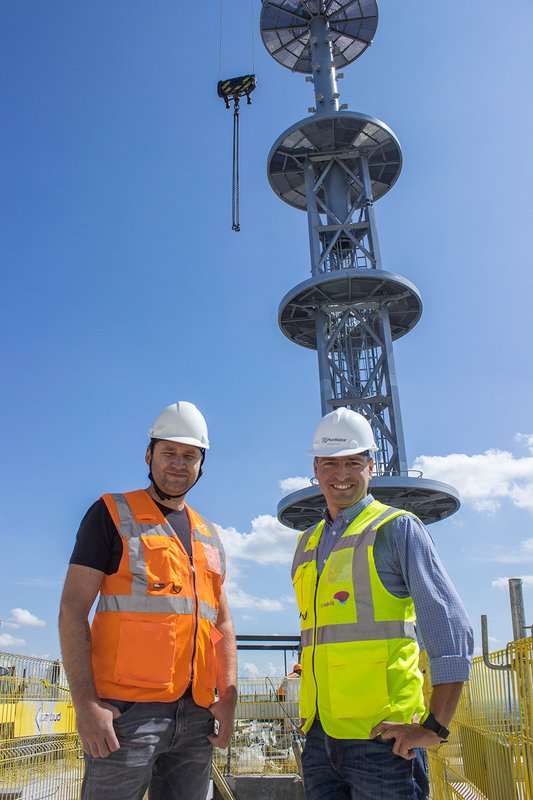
(154, 627)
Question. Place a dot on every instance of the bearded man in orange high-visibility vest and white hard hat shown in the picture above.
(143, 675)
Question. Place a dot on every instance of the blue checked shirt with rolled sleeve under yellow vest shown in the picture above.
(408, 565)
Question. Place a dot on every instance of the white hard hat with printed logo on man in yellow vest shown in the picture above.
(342, 433)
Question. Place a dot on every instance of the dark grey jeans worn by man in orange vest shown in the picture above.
(163, 746)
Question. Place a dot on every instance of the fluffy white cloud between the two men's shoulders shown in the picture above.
(268, 542)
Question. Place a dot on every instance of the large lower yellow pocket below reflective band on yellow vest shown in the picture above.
(357, 680)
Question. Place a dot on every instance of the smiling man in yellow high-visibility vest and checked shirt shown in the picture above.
(363, 576)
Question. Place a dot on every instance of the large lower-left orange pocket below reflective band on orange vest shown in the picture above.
(146, 653)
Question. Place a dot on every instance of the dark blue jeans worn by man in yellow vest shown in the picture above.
(354, 769)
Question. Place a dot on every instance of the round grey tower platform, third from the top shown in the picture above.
(363, 290)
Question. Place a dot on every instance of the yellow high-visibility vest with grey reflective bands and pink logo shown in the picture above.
(359, 648)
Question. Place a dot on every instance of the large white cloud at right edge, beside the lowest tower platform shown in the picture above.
(484, 480)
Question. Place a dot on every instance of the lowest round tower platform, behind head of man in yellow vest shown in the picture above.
(430, 500)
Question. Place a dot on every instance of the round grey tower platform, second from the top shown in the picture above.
(343, 135)
